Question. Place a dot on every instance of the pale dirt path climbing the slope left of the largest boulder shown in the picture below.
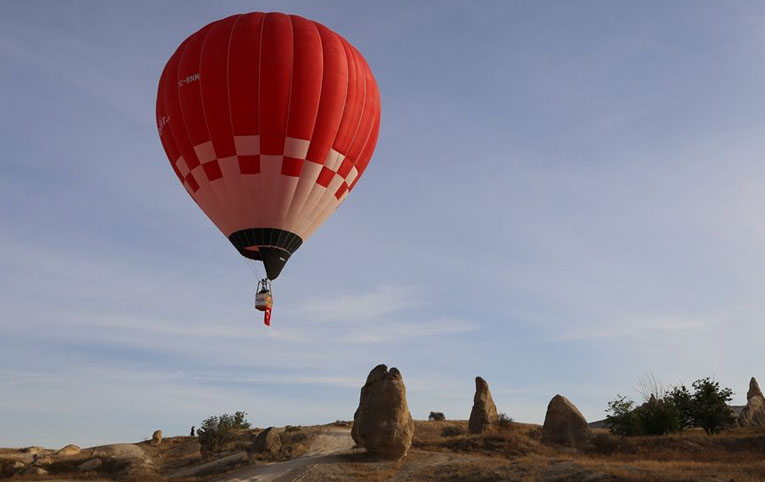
(323, 448)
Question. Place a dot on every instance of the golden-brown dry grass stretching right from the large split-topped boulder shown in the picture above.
(737, 455)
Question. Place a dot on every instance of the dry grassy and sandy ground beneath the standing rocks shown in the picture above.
(442, 451)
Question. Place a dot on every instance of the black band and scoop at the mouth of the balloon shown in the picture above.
(275, 246)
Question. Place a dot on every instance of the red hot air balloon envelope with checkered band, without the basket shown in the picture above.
(269, 120)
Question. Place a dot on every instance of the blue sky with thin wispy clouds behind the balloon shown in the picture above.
(566, 197)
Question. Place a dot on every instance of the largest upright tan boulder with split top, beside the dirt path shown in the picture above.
(382, 424)
